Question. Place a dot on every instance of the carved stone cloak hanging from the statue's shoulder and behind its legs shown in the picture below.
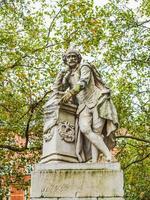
(106, 110)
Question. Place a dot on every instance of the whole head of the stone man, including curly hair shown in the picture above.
(72, 56)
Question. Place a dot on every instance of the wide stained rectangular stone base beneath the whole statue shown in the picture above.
(77, 181)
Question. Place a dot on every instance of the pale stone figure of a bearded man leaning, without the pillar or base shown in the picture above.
(96, 116)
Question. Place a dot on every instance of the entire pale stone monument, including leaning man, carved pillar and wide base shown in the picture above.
(79, 124)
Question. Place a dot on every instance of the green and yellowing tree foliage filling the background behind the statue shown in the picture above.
(33, 36)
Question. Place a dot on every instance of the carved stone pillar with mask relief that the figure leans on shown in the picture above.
(59, 131)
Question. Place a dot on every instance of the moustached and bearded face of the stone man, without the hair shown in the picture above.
(72, 60)
